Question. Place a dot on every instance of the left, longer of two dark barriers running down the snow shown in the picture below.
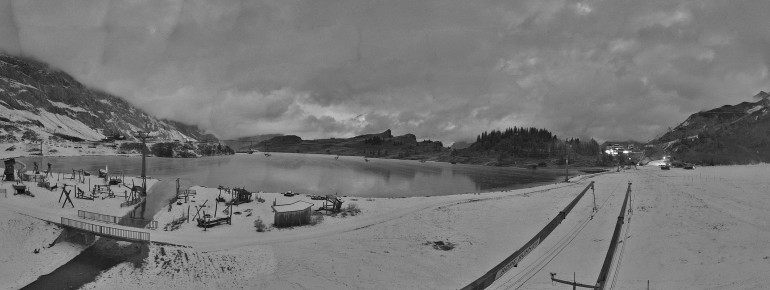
(514, 259)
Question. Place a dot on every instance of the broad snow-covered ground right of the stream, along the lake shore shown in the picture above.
(707, 228)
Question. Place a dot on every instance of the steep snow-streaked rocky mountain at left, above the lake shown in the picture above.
(38, 102)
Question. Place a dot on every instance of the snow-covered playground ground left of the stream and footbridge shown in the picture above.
(25, 225)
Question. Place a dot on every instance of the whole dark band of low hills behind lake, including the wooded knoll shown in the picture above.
(522, 149)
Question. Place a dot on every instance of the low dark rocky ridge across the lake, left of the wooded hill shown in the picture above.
(381, 145)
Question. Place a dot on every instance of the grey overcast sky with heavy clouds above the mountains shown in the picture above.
(441, 69)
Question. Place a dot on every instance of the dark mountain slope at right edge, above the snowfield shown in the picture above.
(731, 134)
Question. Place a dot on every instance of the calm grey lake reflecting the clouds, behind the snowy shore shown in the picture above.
(316, 174)
